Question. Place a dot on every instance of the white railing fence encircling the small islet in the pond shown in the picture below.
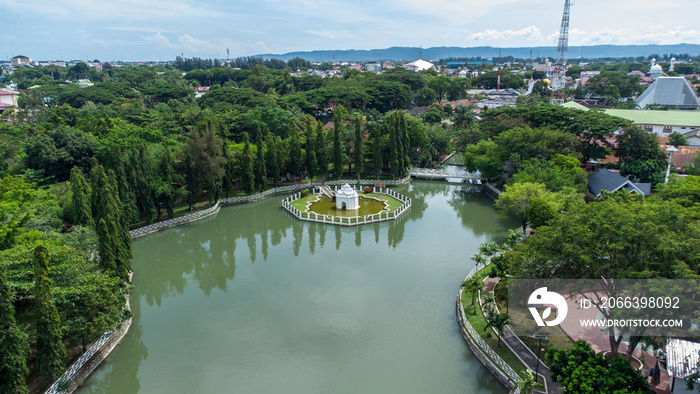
(350, 221)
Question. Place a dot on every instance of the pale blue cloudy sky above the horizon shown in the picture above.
(162, 29)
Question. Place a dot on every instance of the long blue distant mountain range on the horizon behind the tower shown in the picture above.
(434, 53)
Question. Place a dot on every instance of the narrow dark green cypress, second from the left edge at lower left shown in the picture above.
(50, 351)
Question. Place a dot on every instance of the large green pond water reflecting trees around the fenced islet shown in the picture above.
(253, 300)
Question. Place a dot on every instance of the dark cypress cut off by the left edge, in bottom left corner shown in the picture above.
(13, 344)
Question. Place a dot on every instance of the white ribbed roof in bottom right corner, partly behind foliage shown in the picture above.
(682, 360)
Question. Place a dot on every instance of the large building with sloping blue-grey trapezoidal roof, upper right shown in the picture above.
(670, 91)
